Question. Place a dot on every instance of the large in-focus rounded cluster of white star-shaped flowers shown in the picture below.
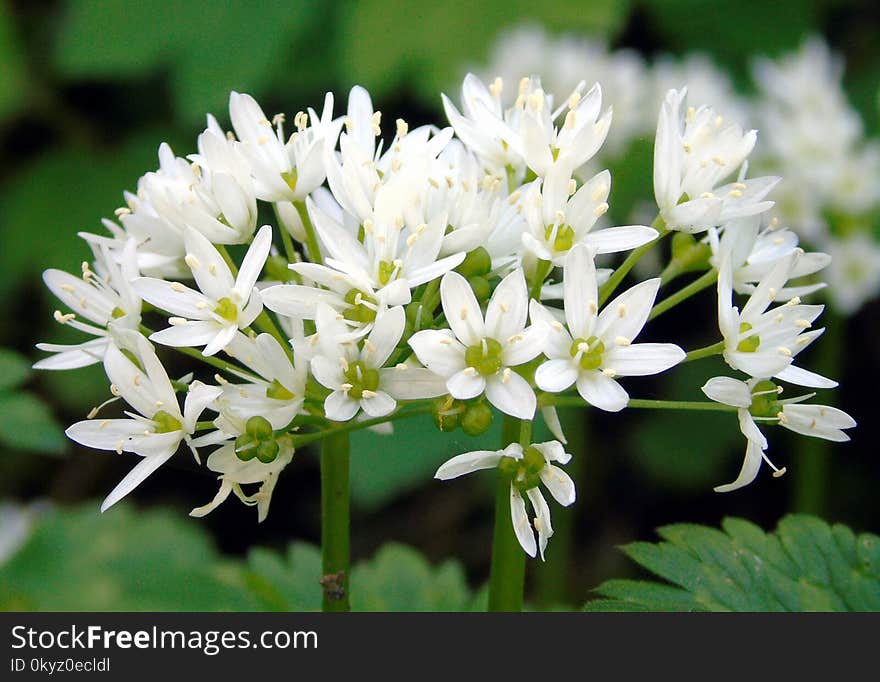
(447, 270)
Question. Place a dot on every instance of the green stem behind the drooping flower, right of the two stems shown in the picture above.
(507, 571)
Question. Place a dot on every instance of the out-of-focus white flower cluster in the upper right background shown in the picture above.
(811, 136)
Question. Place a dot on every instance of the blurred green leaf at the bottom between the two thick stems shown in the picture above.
(399, 579)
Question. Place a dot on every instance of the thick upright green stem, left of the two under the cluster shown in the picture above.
(335, 523)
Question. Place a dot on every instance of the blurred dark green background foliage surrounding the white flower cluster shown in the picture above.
(88, 90)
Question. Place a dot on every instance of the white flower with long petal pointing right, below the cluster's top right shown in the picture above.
(559, 219)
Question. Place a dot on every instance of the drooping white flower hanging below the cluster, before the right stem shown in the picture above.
(526, 468)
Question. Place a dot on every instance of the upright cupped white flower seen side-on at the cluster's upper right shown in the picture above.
(693, 153)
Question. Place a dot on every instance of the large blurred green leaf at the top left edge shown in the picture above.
(241, 46)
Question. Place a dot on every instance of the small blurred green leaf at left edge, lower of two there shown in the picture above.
(26, 423)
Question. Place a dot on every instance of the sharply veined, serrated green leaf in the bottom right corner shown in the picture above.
(804, 565)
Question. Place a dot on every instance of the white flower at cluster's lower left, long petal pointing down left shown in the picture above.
(157, 431)
